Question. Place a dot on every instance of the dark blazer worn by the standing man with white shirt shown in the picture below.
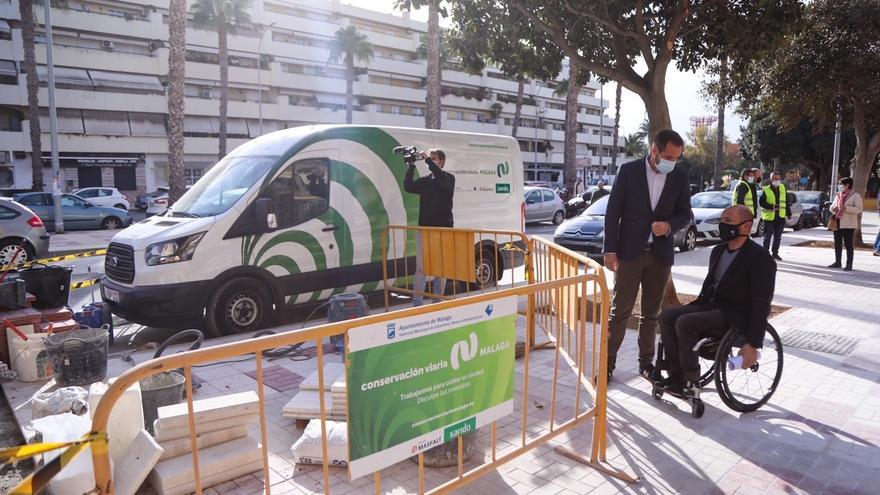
(628, 217)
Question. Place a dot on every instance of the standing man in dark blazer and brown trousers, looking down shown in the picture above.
(649, 202)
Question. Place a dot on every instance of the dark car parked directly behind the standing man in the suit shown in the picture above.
(586, 232)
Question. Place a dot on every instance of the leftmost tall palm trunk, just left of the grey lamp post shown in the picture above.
(26, 10)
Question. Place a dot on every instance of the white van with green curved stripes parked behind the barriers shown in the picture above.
(265, 228)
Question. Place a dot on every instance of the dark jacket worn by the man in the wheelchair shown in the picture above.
(745, 293)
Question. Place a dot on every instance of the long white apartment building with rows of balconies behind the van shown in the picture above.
(111, 75)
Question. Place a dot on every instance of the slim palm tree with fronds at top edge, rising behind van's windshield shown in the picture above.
(224, 16)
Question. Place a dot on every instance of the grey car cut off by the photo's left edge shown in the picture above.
(19, 223)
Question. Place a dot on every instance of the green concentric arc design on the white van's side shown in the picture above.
(255, 249)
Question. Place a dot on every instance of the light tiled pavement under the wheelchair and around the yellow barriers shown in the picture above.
(820, 434)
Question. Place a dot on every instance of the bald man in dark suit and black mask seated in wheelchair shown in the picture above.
(737, 292)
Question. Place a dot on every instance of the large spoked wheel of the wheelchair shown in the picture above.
(749, 389)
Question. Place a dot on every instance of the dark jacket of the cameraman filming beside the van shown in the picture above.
(435, 195)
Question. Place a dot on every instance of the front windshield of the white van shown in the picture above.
(223, 185)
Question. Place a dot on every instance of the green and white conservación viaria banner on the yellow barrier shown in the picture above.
(421, 381)
